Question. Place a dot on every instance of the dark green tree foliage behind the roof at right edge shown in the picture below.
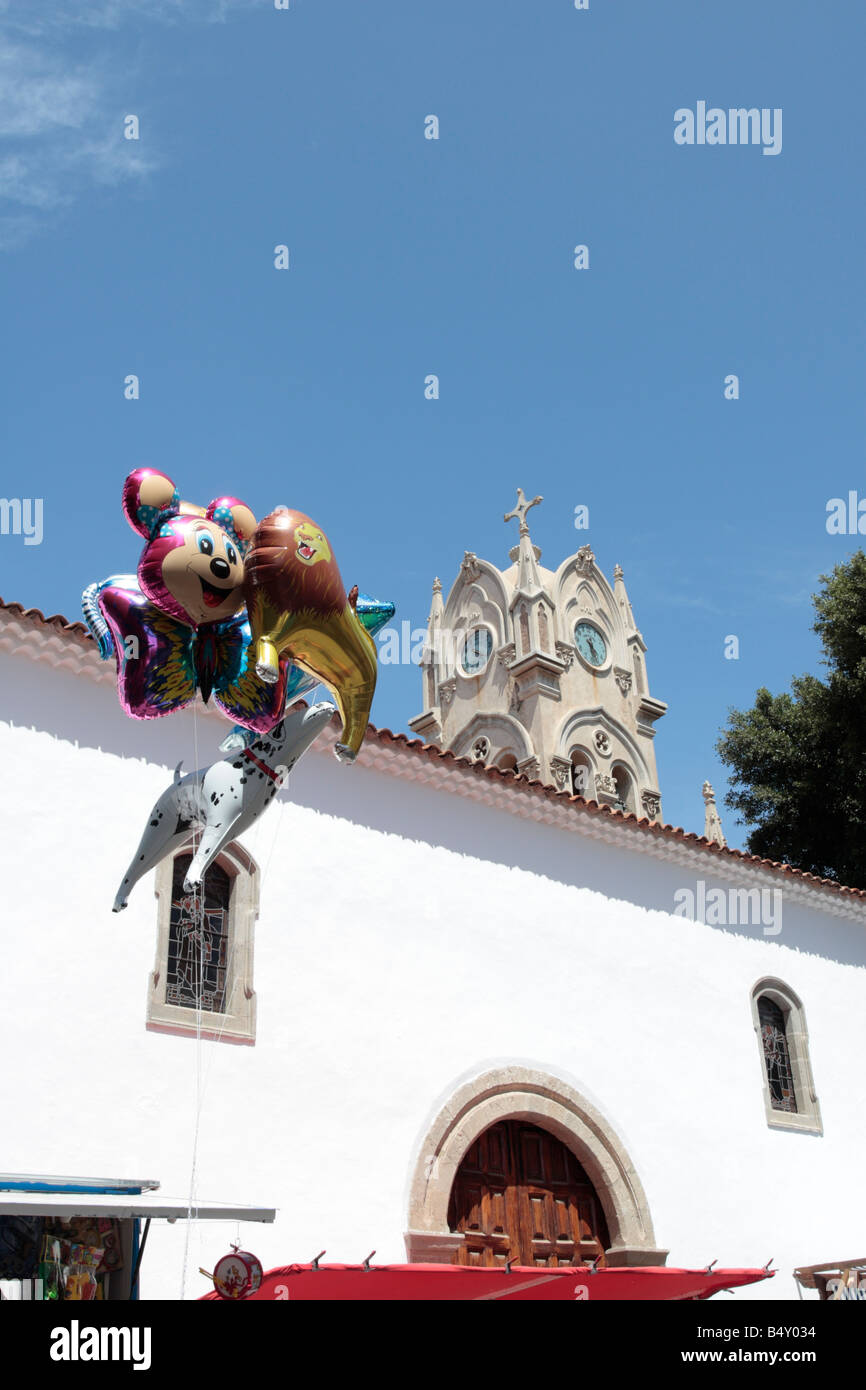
(799, 761)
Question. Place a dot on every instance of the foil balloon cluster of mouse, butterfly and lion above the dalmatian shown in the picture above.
(248, 615)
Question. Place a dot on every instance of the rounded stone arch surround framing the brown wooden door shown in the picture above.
(544, 1102)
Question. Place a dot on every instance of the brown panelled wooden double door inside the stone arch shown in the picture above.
(521, 1195)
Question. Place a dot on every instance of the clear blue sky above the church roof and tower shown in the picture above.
(451, 256)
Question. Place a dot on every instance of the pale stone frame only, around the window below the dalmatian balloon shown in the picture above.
(238, 1025)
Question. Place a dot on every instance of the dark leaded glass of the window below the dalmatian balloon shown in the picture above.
(198, 940)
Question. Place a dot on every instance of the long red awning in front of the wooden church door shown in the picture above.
(571, 1284)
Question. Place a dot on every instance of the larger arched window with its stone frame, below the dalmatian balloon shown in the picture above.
(202, 982)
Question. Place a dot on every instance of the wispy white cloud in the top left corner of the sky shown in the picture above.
(62, 113)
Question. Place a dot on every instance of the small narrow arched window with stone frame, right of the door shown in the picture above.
(789, 1089)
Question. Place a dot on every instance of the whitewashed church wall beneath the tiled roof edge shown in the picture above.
(408, 940)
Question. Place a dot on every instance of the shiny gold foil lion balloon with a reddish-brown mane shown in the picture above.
(298, 610)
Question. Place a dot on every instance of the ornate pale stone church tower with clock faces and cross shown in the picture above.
(544, 673)
